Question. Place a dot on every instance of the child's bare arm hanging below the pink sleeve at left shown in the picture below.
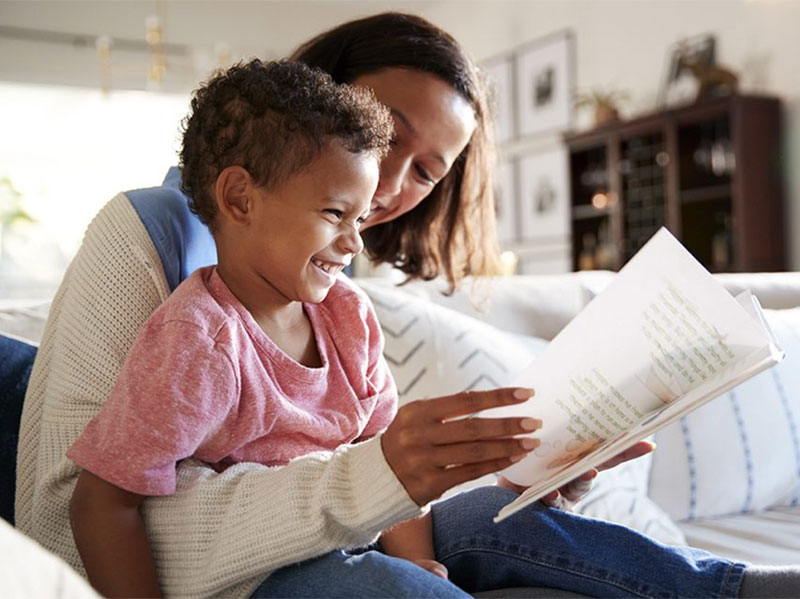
(111, 538)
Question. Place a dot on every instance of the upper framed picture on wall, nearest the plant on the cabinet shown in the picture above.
(545, 83)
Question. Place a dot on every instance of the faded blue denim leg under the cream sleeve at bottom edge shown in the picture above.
(346, 575)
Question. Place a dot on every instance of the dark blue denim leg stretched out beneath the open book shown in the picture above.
(547, 547)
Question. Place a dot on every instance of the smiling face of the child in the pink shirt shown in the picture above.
(306, 231)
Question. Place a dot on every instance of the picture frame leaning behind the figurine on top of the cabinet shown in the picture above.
(679, 85)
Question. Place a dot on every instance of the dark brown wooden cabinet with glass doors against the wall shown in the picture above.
(710, 172)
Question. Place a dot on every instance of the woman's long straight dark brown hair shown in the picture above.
(452, 232)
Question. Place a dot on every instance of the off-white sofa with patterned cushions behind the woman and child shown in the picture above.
(725, 478)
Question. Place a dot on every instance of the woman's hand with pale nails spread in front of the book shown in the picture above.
(432, 448)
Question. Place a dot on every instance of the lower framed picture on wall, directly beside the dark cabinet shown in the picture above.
(544, 195)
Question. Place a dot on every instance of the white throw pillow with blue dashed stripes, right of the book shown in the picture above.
(740, 453)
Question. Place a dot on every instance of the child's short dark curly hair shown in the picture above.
(272, 119)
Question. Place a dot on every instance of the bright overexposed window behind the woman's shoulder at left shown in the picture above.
(64, 153)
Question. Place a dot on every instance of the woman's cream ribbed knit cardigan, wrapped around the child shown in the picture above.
(219, 534)
